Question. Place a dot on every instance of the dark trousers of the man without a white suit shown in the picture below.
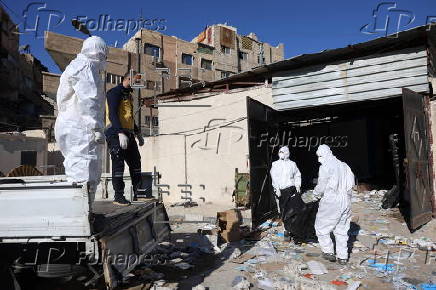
(118, 156)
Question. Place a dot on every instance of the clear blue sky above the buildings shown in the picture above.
(303, 26)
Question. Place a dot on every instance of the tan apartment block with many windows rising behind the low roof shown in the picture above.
(217, 52)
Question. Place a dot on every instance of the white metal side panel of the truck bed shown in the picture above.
(43, 209)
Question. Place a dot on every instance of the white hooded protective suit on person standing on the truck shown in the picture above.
(80, 121)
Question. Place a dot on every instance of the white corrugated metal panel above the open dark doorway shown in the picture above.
(367, 77)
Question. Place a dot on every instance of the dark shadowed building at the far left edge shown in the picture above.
(21, 79)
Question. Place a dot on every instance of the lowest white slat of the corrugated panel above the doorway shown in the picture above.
(332, 100)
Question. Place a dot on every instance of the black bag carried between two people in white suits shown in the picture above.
(298, 218)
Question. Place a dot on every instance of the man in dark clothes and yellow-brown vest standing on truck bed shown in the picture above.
(120, 136)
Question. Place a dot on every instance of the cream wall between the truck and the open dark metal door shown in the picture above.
(210, 167)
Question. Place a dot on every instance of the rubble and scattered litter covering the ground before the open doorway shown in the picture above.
(383, 254)
